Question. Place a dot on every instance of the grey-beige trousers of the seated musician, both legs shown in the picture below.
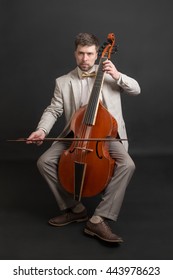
(112, 196)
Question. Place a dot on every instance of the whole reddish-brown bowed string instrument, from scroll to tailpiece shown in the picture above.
(86, 167)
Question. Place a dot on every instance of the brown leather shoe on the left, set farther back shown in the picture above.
(68, 217)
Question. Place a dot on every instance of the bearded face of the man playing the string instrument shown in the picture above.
(85, 57)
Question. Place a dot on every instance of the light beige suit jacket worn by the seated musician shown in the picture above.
(67, 99)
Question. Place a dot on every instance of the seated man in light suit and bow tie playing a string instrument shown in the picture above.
(71, 92)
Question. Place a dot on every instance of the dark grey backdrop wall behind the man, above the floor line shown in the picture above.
(37, 46)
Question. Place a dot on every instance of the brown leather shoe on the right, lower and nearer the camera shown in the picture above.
(102, 231)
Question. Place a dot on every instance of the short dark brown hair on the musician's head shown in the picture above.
(86, 39)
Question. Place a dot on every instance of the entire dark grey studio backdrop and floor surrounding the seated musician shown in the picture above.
(36, 47)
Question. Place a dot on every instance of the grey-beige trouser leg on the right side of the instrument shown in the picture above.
(112, 196)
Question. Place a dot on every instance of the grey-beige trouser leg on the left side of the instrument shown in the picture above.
(48, 167)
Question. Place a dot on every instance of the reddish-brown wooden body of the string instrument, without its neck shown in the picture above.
(89, 161)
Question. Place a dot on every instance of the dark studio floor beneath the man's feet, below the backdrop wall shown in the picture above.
(145, 221)
